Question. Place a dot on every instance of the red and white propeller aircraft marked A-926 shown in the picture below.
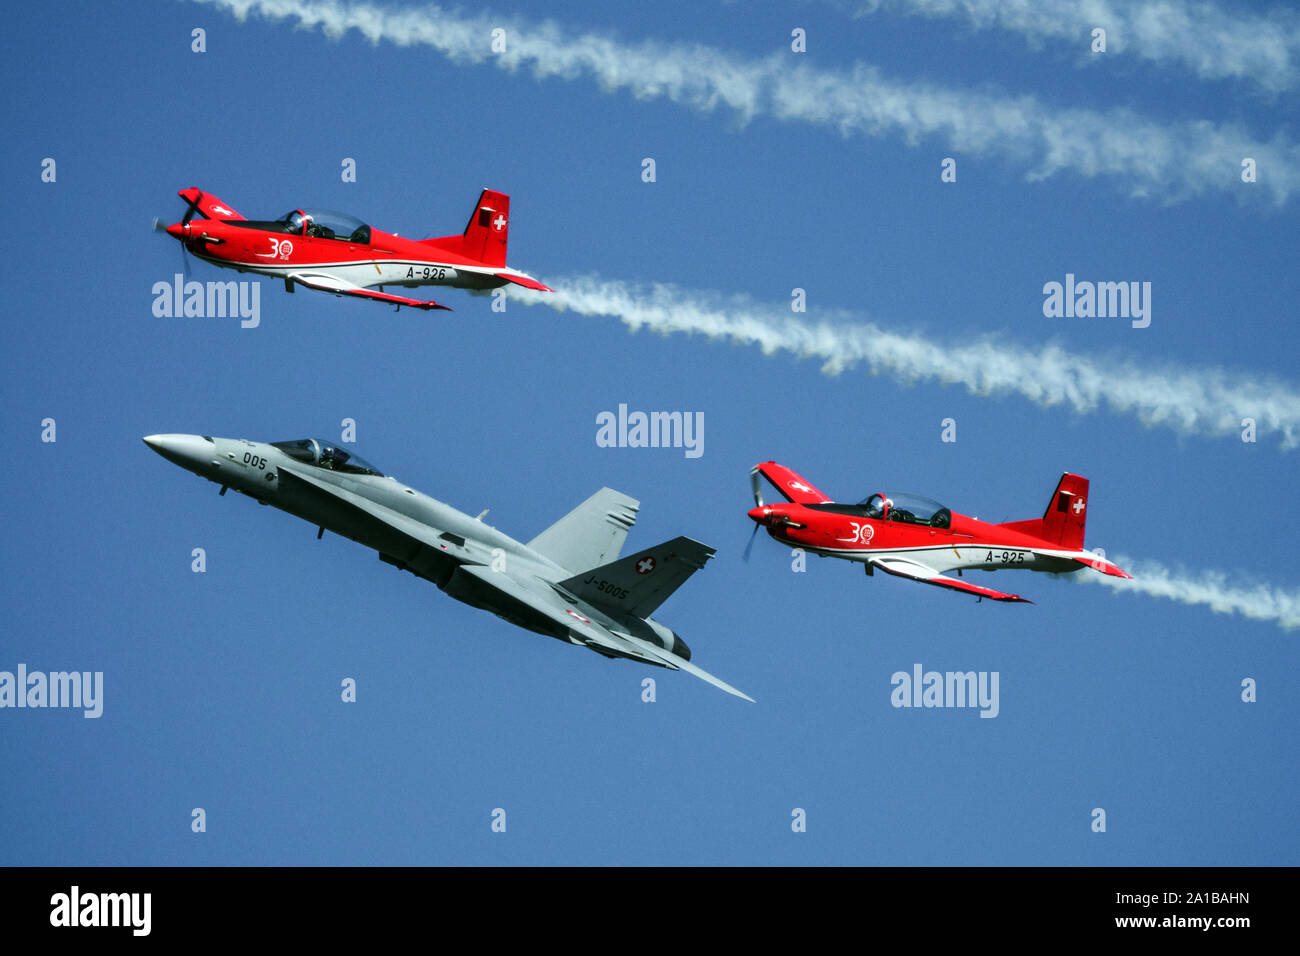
(336, 253)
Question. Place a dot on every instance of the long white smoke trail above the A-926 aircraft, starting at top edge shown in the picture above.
(1168, 161)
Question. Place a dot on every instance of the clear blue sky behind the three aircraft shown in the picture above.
(223, 689)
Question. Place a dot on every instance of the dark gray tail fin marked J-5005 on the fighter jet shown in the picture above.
(642, 582)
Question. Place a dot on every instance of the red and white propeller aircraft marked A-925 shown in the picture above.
(916, 538)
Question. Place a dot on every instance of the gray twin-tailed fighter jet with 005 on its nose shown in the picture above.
(567, 583)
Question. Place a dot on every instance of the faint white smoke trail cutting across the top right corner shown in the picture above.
(1215, 44)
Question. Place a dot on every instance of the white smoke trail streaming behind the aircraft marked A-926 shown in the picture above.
(1203, 403)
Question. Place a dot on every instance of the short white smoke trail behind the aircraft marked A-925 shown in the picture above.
(1212, 589)
